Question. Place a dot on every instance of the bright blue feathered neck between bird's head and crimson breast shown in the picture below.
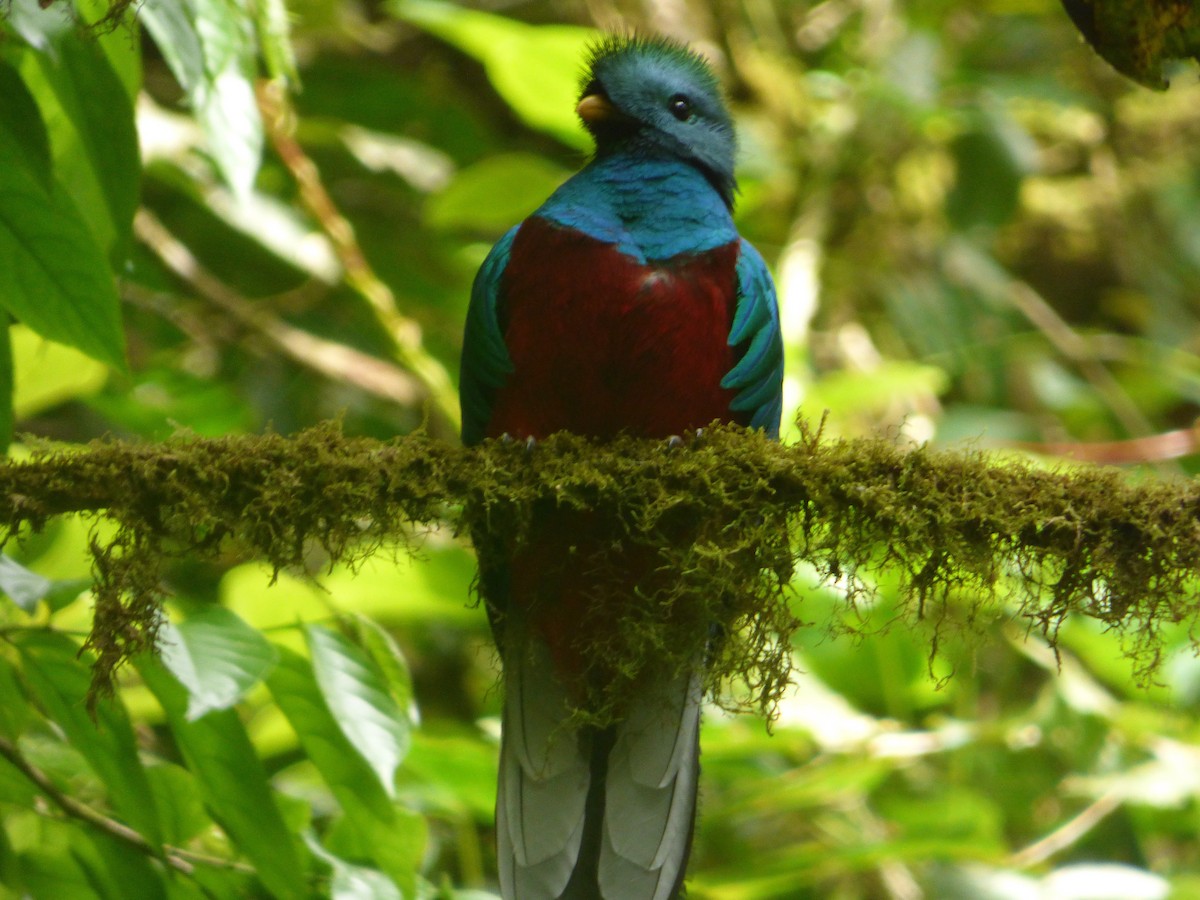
(650, 208)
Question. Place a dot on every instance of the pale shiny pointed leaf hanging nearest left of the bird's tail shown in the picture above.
(358, 697)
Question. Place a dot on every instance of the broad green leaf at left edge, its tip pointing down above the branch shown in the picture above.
(55, 278)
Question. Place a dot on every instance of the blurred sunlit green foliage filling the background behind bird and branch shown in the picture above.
(981, 233)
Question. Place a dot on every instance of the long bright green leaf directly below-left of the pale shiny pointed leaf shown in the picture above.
(386, 833)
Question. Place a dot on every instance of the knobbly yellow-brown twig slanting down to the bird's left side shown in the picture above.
(279, 119)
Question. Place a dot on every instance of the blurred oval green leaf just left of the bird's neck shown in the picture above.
(494, 195)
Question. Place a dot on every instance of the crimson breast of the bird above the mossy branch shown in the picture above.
(603, 345)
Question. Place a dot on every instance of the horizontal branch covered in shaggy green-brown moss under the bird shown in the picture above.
(731, 513)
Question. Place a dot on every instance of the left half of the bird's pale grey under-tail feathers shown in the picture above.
(544, 781)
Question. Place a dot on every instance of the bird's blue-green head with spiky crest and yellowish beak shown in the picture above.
(657, 98)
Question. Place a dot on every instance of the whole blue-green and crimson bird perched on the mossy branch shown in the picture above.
(626, 305)
